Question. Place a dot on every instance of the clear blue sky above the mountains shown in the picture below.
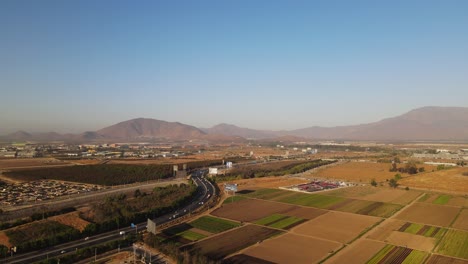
(71, 66)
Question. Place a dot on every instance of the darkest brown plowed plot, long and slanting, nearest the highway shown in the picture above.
(232, 241)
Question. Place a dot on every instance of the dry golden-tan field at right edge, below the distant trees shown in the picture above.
(449, 180)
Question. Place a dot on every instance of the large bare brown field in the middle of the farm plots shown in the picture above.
(336, 226)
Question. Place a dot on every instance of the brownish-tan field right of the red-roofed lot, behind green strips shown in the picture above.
(377, 194)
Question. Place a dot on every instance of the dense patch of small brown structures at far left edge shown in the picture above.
(19, 193)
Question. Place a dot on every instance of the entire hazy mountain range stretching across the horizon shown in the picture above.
(422, 124)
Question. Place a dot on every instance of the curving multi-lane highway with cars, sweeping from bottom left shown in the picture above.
(205, 191)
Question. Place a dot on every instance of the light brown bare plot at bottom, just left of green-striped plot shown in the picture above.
(359, 252)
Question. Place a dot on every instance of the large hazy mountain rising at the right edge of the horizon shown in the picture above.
(427, 123)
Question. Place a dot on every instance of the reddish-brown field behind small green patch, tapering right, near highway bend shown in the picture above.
(249, 210)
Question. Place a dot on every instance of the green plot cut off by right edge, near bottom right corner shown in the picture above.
(455, 244)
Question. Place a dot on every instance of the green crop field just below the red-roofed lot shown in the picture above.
(312, 200)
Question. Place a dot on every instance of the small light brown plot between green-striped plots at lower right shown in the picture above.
(412, 241)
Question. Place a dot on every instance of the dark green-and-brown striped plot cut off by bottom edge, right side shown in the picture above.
(395, 254)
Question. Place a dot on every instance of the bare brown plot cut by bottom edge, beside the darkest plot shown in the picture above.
(291, 248)
